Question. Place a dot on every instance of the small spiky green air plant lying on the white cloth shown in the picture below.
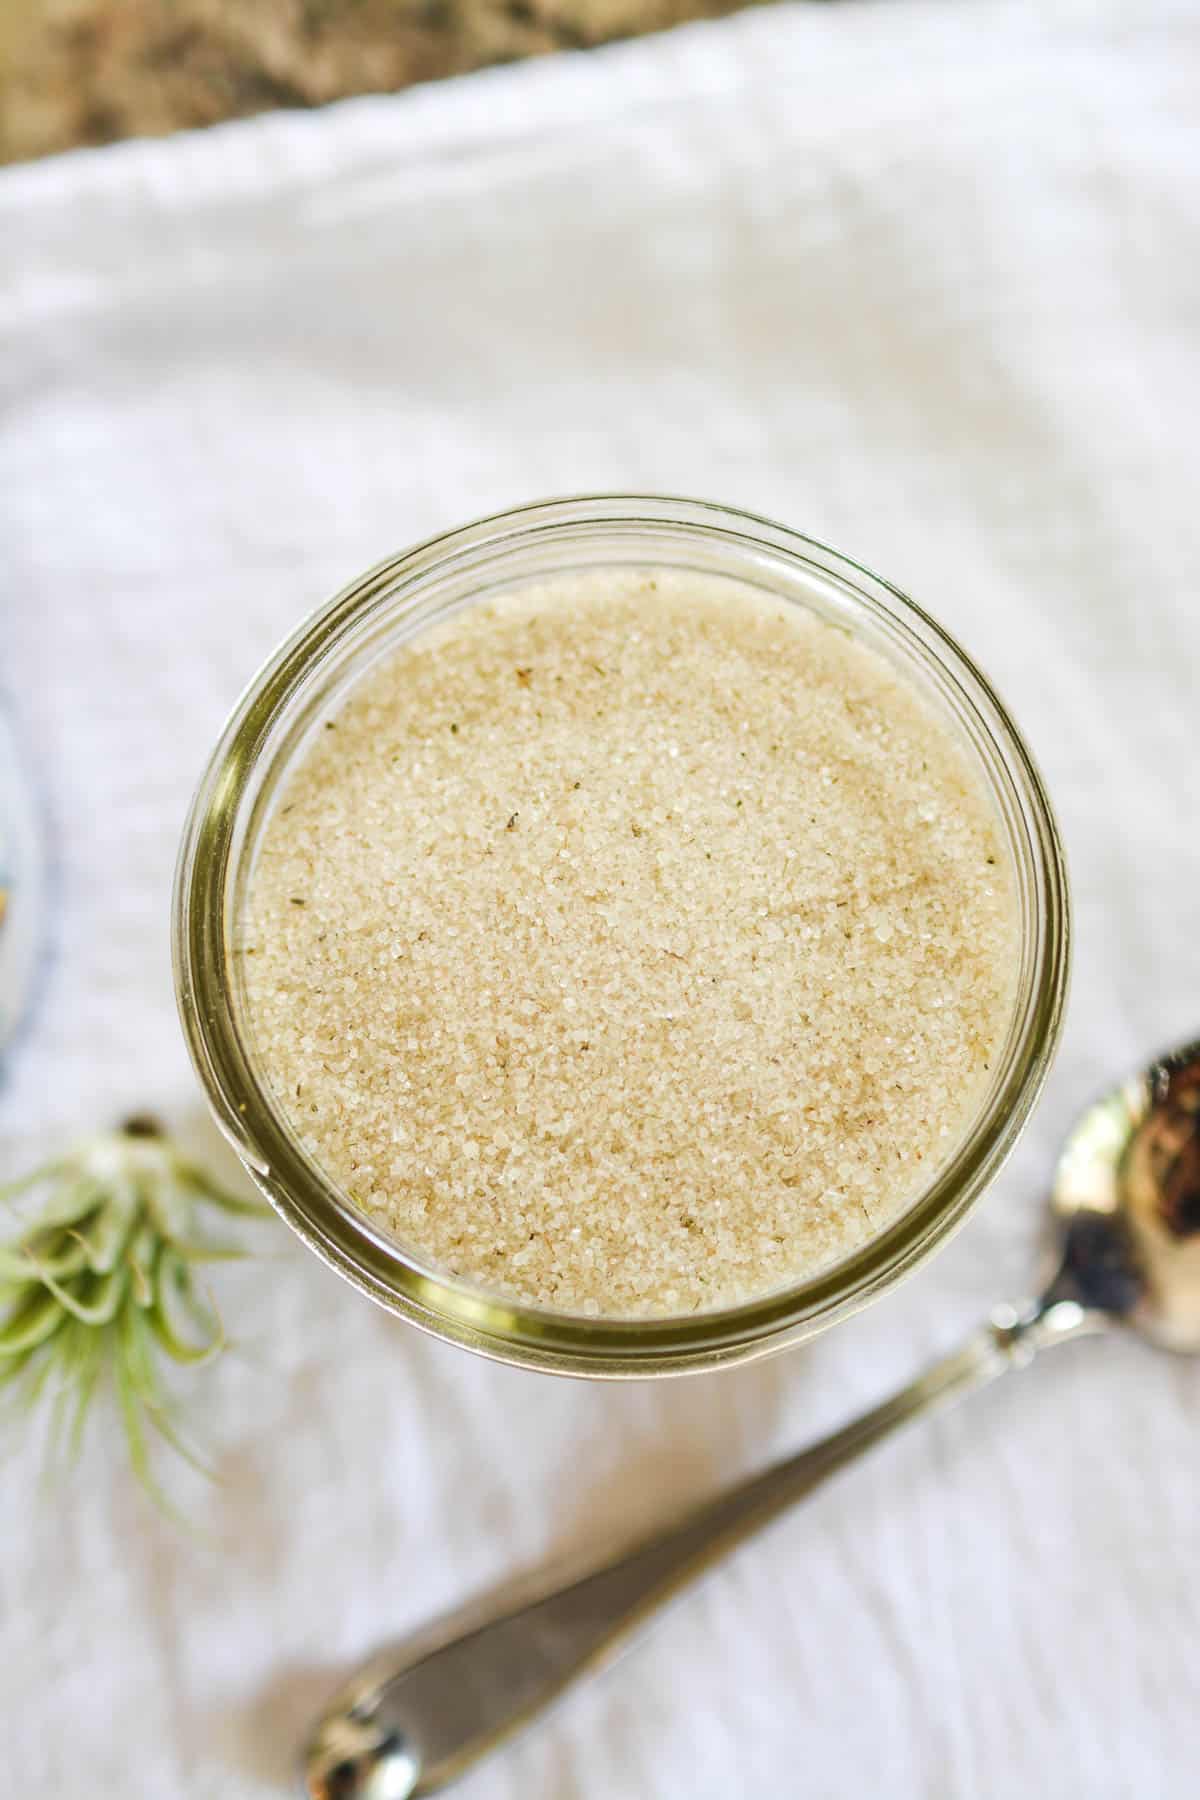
(103, 1284)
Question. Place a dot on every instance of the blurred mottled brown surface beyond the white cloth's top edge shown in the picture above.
(96, 71)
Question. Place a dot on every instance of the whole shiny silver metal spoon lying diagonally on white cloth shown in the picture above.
(1127, 1225)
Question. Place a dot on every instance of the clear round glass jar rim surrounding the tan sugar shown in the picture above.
(309, 679)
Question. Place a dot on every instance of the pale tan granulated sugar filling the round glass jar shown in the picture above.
(632, 946)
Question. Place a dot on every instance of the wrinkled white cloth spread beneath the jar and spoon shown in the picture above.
(922, 282)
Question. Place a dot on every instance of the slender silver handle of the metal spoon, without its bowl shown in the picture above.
(416, 1723)
